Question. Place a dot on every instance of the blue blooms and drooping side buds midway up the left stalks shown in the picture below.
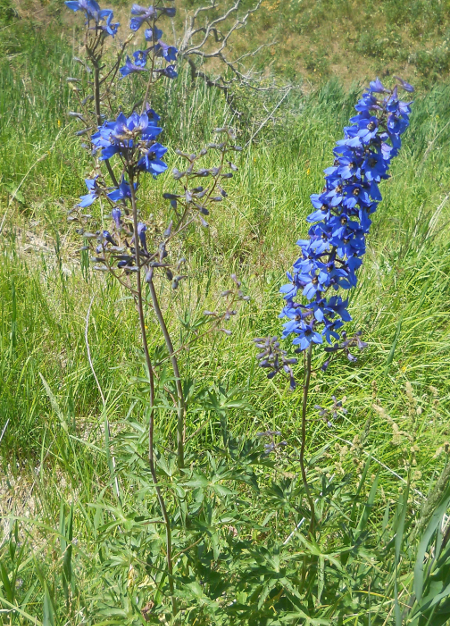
(132, 141)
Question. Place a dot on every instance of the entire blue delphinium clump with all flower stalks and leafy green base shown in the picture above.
(216, 538)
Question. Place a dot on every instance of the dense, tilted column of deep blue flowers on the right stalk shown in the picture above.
(341, 217)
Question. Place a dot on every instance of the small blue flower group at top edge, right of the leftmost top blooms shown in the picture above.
(148, 16)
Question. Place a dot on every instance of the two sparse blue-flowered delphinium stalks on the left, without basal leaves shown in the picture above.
(124, 148)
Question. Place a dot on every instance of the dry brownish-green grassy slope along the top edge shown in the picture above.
(313, 40)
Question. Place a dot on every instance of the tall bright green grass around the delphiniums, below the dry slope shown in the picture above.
(53, 454)
